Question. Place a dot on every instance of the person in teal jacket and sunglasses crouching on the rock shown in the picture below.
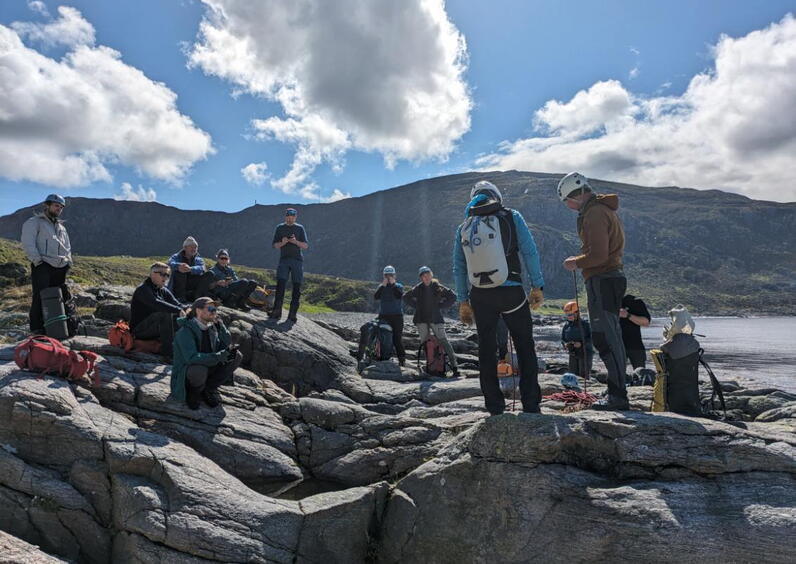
(204, 358)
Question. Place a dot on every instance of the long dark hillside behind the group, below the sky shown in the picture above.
(711, 250)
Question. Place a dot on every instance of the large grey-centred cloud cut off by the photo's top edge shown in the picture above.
(379, 76)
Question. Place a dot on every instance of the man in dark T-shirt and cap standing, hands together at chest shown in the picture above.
(291, 239)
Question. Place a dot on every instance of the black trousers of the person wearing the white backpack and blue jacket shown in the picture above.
(510, 303)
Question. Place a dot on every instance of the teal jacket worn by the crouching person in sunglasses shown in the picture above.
(186, 351)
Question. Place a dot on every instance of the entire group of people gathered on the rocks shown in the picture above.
(177, 303)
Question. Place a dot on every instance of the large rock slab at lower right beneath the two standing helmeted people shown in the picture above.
(599, 487)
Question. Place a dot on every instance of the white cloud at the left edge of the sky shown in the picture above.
(62, 121)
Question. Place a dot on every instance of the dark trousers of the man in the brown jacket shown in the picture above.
(605, 292)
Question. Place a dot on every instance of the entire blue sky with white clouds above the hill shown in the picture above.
(604, 87)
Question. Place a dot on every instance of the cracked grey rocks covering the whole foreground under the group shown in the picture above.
(408, 467)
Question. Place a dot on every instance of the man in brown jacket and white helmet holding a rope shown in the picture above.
(603, 244)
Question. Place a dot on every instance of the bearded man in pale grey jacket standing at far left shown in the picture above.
(46, 244)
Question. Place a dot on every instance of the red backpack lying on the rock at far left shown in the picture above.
(46, 355)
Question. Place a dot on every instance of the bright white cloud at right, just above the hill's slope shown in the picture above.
(733, 128)
